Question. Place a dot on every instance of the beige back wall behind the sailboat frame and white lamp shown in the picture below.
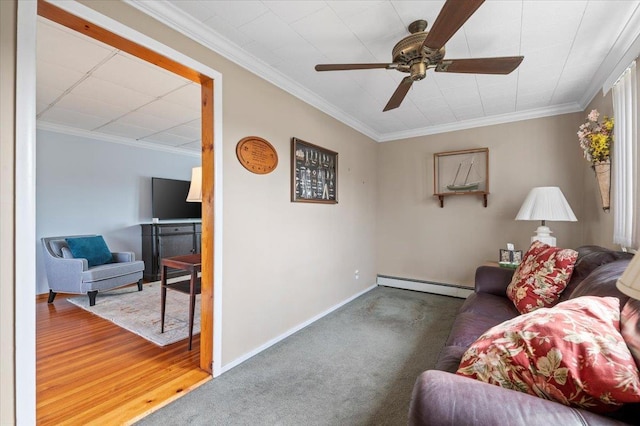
(417, 239)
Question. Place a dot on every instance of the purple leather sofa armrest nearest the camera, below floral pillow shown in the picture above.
(441, 398)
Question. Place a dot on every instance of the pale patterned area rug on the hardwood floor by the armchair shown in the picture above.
(139, 312)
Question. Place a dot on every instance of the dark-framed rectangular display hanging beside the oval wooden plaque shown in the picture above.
(314, 173)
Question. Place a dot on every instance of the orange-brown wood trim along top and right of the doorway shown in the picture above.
(64, 18)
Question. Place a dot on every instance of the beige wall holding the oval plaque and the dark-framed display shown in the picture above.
(283, 262)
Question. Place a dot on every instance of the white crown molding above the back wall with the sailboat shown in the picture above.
(484, 121)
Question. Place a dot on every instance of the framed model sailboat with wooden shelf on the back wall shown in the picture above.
(461, 172)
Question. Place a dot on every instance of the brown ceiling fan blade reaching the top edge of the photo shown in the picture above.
(452, 16)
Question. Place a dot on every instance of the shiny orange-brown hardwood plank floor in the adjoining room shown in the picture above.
(90, 371)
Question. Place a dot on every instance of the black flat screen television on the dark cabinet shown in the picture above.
(169, 200)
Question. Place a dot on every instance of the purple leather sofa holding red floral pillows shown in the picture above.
(440, 397)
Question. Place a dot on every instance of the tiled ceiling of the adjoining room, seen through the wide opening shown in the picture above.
(86, 87)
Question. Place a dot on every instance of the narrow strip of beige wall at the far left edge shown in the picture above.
(7, 168)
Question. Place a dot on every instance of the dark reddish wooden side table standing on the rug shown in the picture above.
(191, 263)
